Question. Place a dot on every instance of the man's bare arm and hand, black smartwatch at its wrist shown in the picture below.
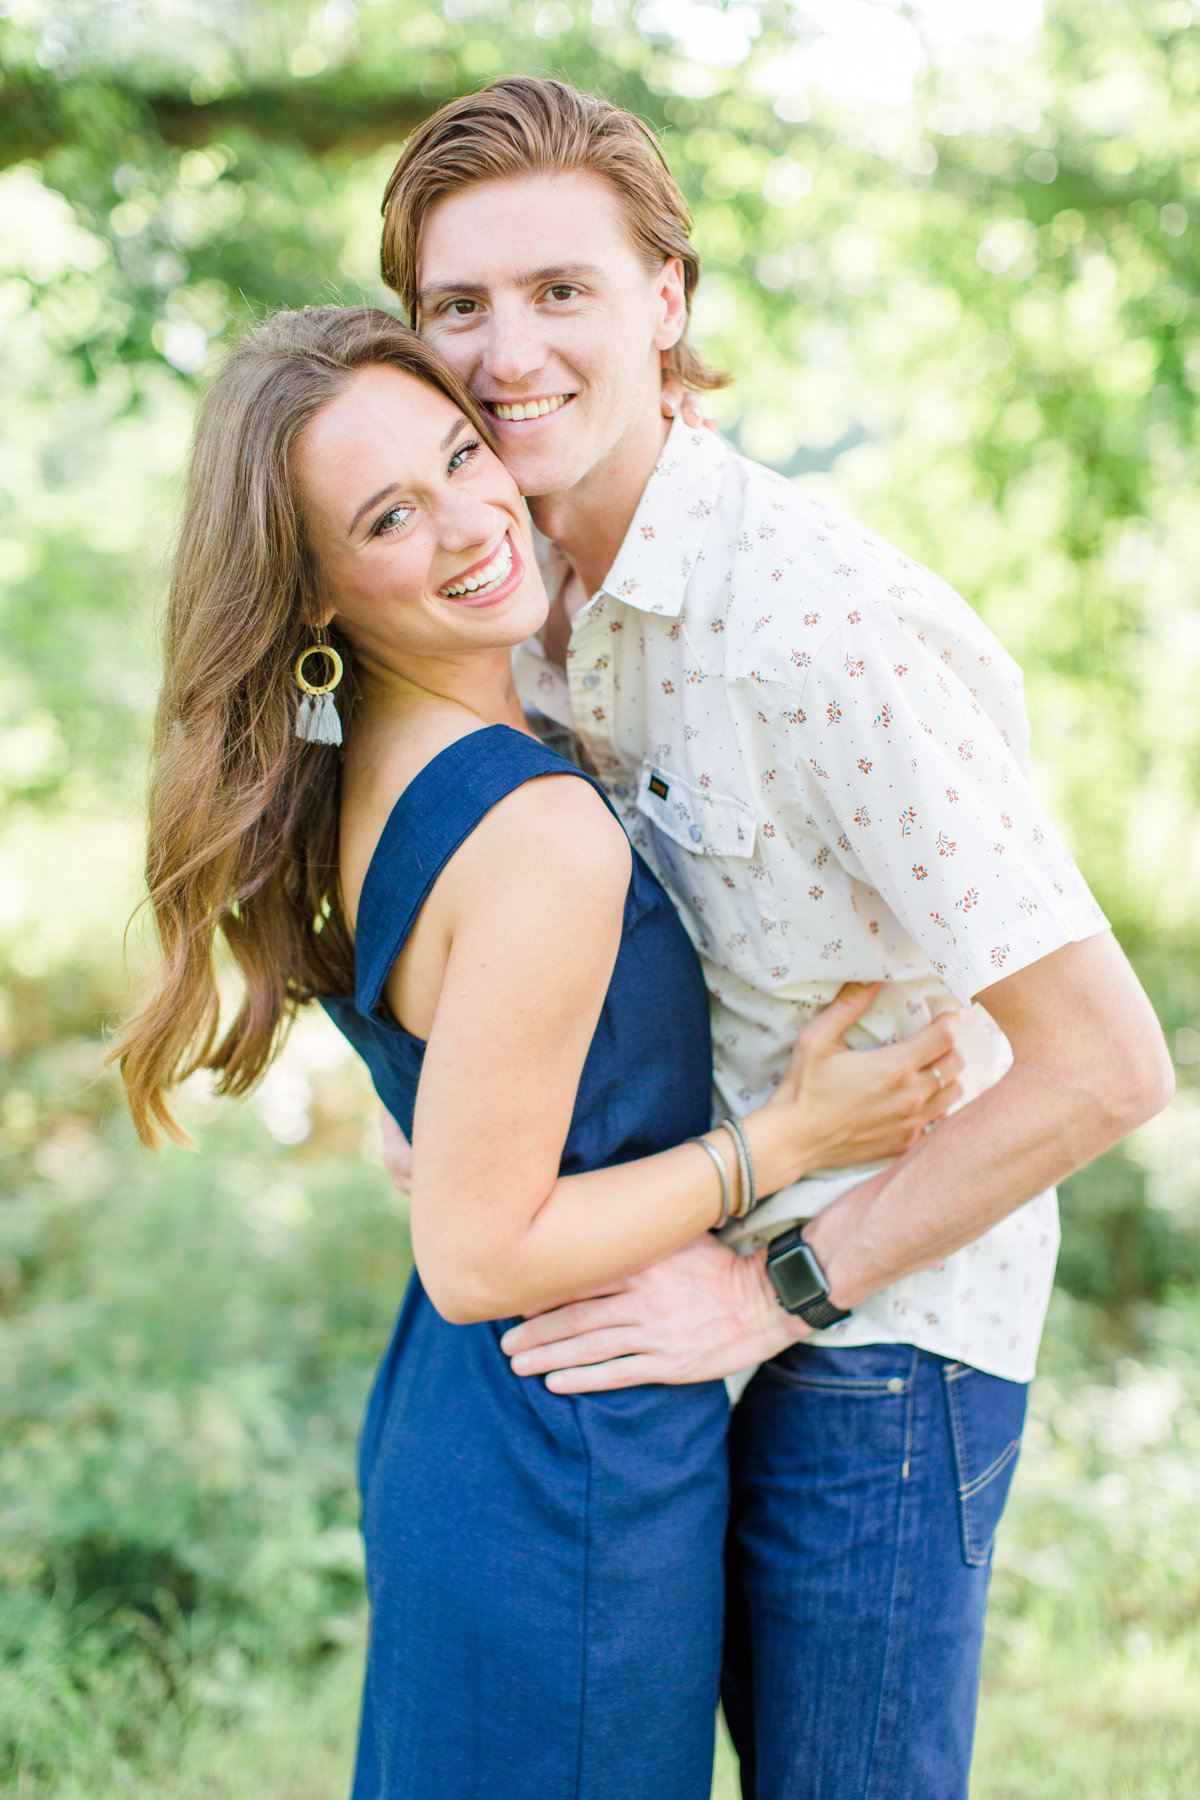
(1089, 1066)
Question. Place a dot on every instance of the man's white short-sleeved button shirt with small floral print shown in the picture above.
(823, 753)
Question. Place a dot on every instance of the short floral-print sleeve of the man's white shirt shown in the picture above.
(920, 796)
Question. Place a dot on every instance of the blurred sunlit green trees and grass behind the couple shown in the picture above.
(951, 258)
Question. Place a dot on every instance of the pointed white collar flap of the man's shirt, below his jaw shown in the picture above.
(663, 544)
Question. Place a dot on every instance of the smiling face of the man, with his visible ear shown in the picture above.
(533, 292)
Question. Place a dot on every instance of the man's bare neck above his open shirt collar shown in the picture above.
(589, 521)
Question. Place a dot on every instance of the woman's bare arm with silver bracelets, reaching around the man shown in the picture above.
(533, 906)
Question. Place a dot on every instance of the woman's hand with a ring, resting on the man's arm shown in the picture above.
(843, 1106)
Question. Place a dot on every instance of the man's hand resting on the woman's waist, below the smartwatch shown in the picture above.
(695, 1317)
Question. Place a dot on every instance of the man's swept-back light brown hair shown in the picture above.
(530, 125)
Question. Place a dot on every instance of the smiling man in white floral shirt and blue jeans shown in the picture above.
(825, 755)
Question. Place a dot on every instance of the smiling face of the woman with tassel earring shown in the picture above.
(420, 532)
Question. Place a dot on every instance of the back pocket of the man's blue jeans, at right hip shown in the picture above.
(987, 1419)
